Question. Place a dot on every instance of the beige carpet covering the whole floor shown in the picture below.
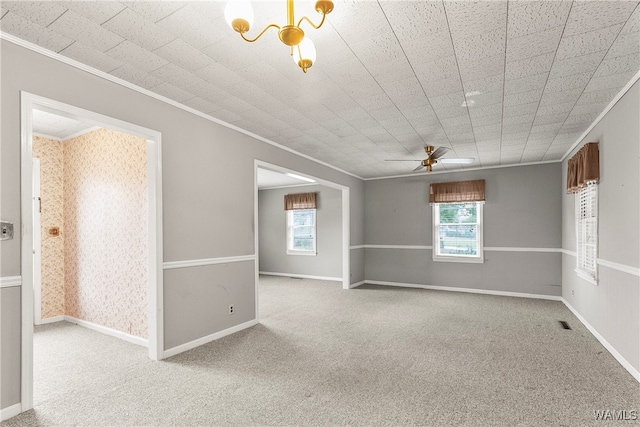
(325, 356)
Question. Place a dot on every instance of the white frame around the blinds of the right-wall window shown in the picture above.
(589, 191)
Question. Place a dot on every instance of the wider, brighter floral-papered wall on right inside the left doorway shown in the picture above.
(105, 222)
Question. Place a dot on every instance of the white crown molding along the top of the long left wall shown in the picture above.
(18, 41)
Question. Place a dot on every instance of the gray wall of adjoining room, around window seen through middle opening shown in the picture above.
(272, 233)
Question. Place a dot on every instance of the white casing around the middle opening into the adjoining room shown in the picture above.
(261, 166)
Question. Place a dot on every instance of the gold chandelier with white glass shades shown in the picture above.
(239, 15)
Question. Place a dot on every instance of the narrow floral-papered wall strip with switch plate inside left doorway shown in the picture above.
(50, 153)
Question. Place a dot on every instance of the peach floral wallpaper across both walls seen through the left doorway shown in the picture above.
(94, 188)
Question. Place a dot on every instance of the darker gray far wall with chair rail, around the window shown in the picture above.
(523, 210)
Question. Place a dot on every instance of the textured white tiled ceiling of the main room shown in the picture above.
(503, 82)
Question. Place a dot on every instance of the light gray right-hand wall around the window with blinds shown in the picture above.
(611, 307)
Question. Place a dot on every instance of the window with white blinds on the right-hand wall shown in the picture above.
(587, 232)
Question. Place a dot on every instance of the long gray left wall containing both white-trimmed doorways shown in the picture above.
(208, 192)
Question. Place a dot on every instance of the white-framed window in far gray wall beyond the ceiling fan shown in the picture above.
(457, 232)
